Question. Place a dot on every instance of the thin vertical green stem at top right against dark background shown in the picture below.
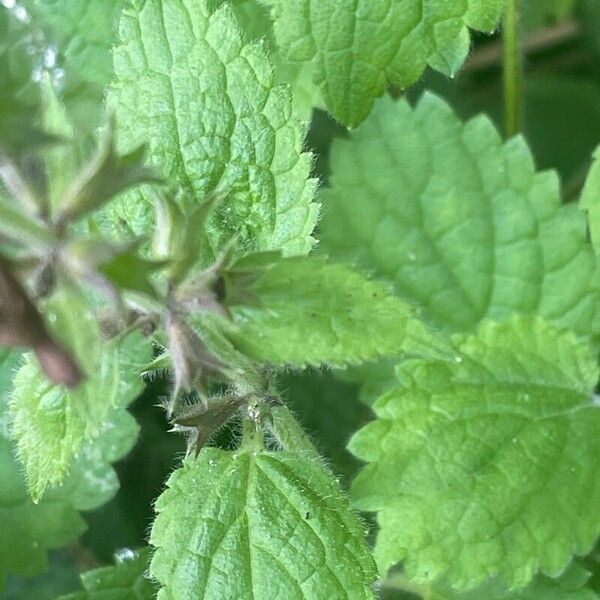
(513, 68)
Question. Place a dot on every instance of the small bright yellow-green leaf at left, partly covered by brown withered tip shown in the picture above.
(51, 423)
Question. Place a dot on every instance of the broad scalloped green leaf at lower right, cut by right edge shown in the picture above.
(488, 466)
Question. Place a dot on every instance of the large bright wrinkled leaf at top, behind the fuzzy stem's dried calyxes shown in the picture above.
(207, 103)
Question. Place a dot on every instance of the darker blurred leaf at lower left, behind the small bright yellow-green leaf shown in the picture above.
(29, 530)
